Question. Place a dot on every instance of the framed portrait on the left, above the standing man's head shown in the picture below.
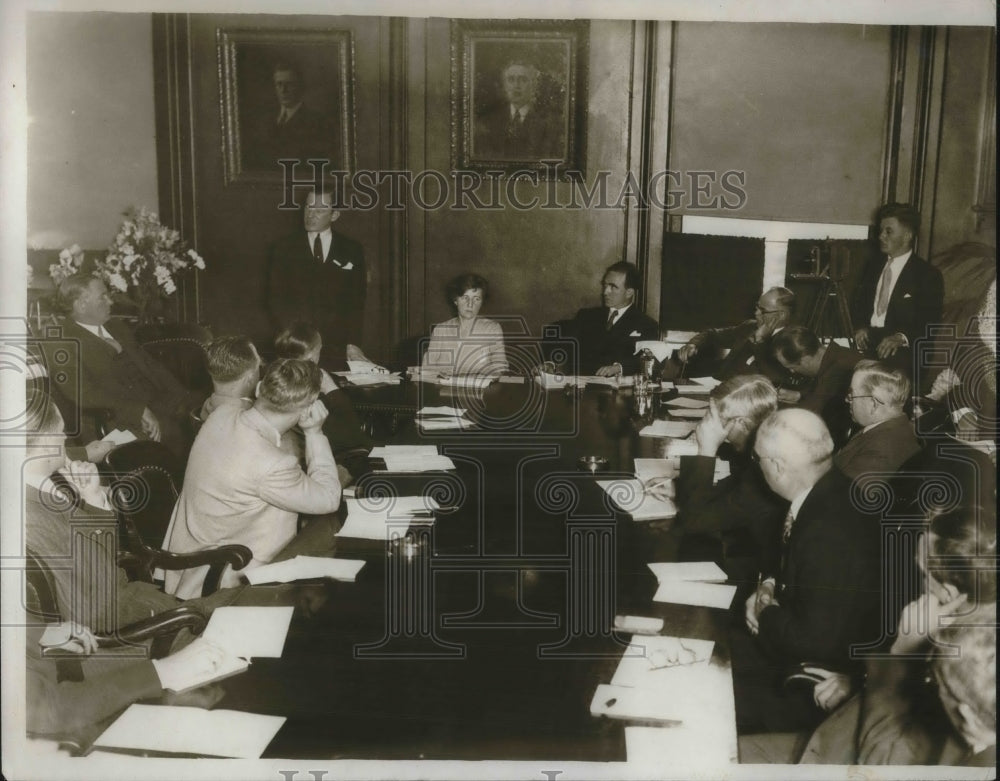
(285, 95)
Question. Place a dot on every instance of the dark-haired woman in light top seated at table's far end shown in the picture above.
(467, 343)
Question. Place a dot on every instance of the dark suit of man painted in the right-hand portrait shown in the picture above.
(541, 135)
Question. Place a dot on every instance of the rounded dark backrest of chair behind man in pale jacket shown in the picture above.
(145, 484)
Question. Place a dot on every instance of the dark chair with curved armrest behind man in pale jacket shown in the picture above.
(145, 476)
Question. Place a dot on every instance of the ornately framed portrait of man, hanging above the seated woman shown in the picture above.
(519, 96)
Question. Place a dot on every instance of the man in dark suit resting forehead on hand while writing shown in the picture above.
(742, 502)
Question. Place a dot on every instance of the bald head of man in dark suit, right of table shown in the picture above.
(795, 451)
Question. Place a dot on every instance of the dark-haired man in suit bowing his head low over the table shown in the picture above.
(830, 368)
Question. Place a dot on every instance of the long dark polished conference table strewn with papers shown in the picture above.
(484, 634)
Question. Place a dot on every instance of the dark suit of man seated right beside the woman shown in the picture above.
(599, 346)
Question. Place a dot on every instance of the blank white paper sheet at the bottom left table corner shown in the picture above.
(183, 730)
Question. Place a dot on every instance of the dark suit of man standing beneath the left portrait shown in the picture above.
(330, 295)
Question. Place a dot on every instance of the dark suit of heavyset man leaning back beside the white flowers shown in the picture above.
(125, 382)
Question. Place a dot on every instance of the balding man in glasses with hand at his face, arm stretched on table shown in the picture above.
(749, 343)
